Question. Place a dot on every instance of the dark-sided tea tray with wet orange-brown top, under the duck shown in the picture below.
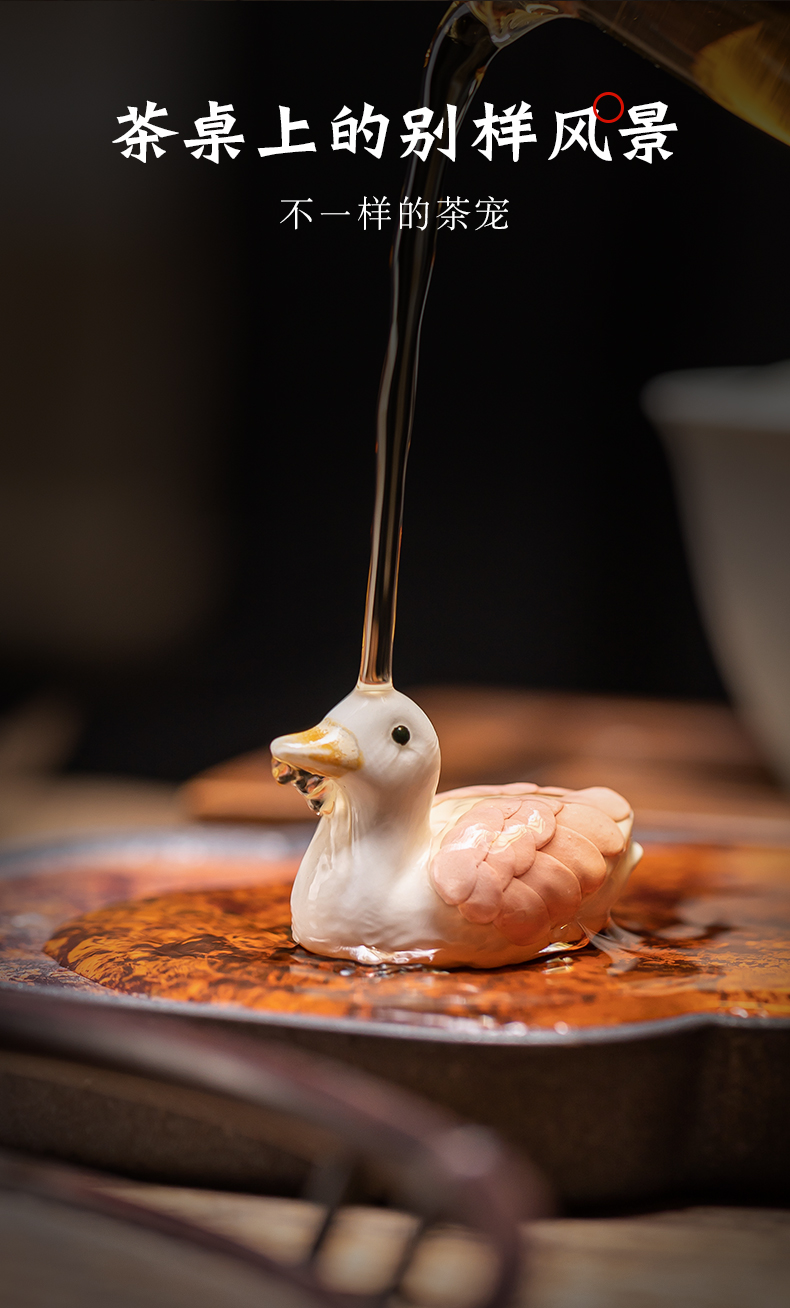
(660, 1075)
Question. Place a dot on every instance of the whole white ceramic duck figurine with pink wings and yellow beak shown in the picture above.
(481, 877)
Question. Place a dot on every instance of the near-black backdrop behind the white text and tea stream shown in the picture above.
(190, 387)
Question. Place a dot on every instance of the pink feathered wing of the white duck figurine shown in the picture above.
(524, 857)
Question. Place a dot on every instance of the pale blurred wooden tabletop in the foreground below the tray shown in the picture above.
(700, 1258)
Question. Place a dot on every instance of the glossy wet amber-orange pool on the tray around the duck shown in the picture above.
(700, 929)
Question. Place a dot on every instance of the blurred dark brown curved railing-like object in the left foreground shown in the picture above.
(330, 1135)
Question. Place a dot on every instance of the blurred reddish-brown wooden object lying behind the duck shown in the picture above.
(683, 766)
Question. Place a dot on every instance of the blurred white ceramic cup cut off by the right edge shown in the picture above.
(728, 434)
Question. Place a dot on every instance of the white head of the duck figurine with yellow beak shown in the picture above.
(376, 746)
